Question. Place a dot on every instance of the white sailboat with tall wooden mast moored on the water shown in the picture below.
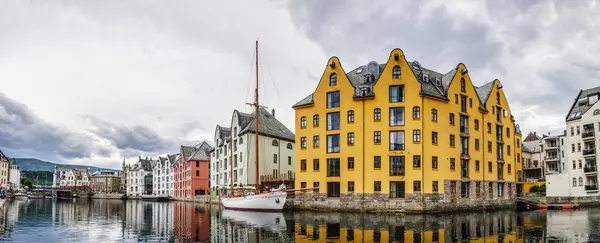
(272, 201)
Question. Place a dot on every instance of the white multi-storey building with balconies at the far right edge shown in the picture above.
(579, 177)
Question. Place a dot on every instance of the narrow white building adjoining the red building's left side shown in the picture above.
(162, 176)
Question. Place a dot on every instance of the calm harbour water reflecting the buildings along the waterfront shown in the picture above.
(140, 221)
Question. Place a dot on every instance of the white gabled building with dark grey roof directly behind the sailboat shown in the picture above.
(234, 156)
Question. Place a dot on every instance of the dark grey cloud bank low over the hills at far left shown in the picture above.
(22, 130)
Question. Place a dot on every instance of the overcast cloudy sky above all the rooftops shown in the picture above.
(98, 81)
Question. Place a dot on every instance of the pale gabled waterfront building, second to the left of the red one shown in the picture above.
(137, 183)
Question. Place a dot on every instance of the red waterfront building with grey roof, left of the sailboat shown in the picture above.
(191, 171)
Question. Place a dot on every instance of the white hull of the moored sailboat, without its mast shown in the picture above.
(268, 202)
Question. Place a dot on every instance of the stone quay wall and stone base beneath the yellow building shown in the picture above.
(447, 201)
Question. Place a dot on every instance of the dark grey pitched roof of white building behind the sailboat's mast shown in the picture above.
(268, 125)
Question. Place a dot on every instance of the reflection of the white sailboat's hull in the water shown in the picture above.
(274, 221)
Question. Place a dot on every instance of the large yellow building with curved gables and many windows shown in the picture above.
(403, 132)
